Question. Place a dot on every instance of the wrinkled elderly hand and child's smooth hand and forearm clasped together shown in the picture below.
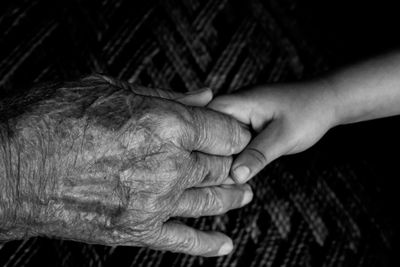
(103, 161)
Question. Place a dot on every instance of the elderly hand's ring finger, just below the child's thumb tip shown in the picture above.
(215, 200)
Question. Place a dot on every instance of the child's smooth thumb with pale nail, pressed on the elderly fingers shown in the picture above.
(264, 148)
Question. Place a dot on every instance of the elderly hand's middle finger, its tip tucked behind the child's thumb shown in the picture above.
(212, 170)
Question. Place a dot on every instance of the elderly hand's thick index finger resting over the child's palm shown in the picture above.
(218, 134)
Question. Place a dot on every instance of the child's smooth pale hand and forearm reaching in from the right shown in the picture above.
(290, 118)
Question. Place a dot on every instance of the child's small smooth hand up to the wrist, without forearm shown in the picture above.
(288, 119)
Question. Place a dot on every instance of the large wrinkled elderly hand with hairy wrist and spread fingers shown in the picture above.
(103, 161)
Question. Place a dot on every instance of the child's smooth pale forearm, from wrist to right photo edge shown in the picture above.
(367, 91)
